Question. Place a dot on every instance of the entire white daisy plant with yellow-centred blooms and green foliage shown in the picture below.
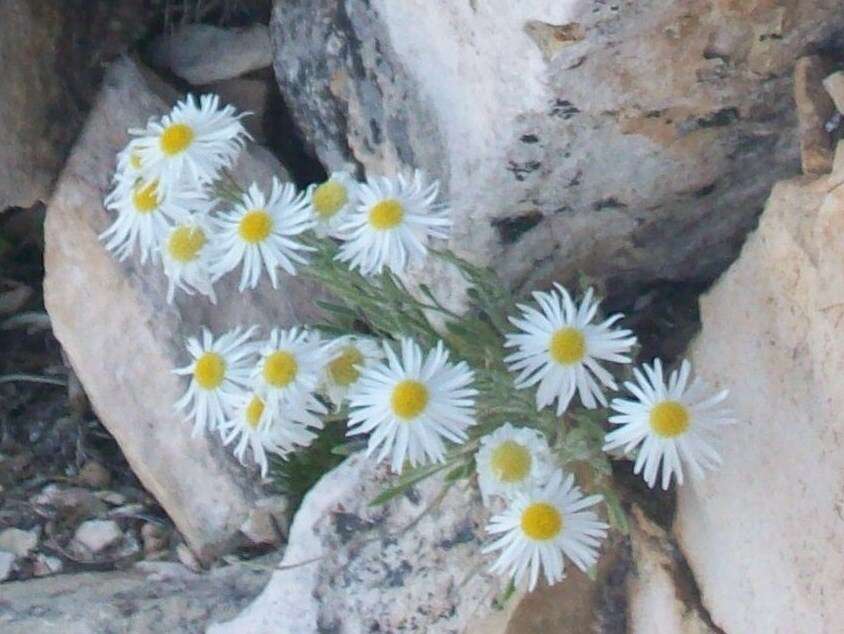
(469, 397)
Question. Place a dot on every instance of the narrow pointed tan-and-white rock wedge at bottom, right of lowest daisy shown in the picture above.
(659, 597)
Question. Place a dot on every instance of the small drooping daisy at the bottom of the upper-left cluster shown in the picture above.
(186, 253)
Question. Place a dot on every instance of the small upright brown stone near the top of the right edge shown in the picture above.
(814, 109)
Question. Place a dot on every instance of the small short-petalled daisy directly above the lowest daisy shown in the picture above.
(511, 459)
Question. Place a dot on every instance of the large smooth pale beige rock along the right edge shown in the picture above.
(764, 535)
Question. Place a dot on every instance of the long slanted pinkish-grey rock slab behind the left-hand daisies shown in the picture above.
(123, 339)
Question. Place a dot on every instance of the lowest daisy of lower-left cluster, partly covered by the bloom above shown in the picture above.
(262, 430)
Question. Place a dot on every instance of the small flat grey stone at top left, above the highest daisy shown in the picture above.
(201, 53)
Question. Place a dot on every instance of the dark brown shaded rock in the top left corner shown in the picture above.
(52, 51)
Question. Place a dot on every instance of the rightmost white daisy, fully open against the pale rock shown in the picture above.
(673, 424)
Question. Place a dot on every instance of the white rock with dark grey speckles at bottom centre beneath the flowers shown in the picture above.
(410, 565)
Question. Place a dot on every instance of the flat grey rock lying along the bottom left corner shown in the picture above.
(158, 597)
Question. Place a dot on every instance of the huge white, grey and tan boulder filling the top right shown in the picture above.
(630, 140)
